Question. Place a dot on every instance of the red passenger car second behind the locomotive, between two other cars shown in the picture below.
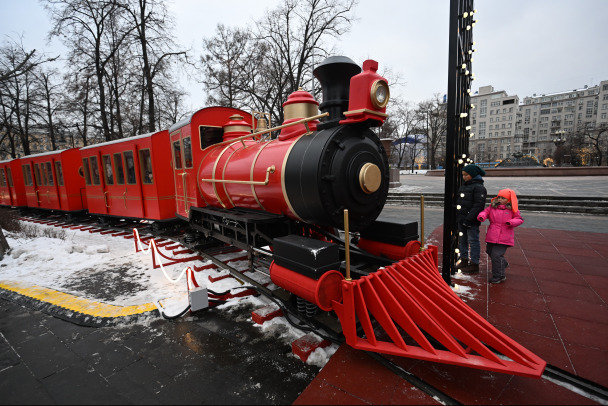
(53, 181)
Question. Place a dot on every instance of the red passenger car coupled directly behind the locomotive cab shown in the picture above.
(131, 177)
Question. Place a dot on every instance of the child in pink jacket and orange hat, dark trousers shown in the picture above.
(504, 217)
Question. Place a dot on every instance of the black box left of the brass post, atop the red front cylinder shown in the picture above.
(306, 256)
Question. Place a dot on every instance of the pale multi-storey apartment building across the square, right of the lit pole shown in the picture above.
(502, 126)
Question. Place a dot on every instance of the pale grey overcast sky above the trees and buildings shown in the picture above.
(522, 46)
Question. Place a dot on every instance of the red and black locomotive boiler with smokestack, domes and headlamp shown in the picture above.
(313, 170)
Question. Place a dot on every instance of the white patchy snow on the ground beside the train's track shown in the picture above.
(109, 270)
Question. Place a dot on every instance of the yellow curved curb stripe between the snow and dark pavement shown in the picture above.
(74, 303)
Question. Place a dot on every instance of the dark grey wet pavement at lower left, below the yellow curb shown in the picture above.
(209, 358)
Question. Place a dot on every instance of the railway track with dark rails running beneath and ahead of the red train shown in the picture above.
(259, 263)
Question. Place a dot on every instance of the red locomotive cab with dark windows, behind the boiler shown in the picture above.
(189, 138)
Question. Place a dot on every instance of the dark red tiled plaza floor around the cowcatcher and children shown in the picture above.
(554, 302)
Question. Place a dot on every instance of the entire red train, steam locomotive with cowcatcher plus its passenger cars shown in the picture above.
(287, 198)
